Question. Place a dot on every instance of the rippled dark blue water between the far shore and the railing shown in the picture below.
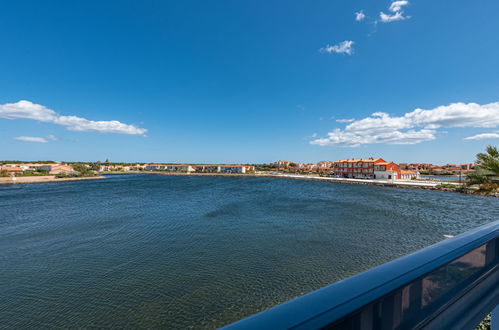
(158, 251)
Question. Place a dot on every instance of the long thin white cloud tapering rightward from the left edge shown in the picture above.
(28, 110)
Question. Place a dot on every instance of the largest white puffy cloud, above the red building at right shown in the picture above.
(413, 127)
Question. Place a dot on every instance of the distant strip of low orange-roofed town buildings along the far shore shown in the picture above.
(356, 168)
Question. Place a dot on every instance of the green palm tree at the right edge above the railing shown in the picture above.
(487, 170)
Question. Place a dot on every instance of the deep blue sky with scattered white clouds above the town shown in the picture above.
(248, 81)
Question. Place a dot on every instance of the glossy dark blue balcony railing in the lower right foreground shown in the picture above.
(453, 284)
